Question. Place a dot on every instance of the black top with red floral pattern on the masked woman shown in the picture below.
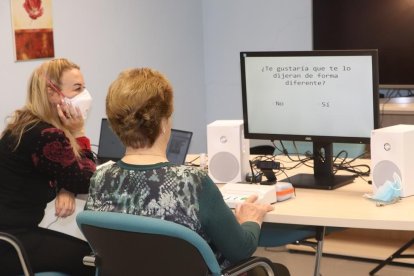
(31, 175)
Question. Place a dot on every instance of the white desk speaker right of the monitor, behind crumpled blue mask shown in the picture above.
(392, 151)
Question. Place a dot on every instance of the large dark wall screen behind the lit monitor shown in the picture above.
(386, 25)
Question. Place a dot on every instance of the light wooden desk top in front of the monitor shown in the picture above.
(343, 207)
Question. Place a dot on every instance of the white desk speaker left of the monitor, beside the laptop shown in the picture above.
(228, 151)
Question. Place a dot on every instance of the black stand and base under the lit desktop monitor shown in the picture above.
(323, 176)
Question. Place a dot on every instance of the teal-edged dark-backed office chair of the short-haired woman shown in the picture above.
(126, 244)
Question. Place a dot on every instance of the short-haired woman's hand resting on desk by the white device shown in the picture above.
(251, 211)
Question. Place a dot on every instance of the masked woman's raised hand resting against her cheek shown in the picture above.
(72, 118)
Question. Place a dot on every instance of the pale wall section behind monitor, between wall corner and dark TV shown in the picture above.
(233, 26)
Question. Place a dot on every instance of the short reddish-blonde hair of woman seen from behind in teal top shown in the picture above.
(136, 103)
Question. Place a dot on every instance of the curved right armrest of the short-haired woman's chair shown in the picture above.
(248, 265)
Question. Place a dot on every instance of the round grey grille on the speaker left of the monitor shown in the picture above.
(224, 167)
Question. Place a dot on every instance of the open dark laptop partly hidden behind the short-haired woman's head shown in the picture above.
(111, 148)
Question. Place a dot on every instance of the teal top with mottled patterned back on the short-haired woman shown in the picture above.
(182, 194)
